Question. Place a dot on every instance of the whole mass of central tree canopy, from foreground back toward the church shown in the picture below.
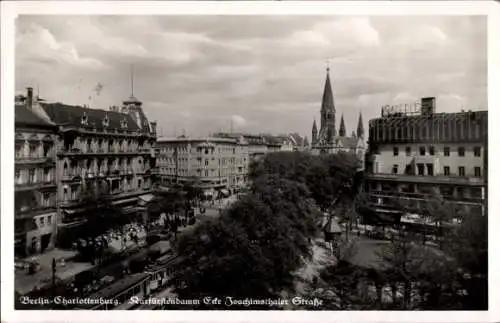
(256, 244)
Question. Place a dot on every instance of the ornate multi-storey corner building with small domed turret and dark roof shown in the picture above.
(98, 154)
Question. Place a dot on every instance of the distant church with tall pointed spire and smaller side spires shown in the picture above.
(326, 140)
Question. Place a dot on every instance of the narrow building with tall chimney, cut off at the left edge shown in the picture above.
(35, 180)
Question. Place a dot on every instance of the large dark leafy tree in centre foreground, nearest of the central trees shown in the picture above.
(253, 248)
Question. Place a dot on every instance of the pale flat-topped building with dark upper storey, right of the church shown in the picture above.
(416, 154)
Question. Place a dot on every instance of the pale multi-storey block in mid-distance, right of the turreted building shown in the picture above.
(217, 165)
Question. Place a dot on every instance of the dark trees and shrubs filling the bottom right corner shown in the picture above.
(451, 276)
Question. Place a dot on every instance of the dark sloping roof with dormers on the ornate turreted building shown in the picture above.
(62, 114)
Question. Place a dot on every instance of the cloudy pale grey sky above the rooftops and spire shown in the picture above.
(202, 74)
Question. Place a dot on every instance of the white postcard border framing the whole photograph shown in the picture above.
(9, 10)
